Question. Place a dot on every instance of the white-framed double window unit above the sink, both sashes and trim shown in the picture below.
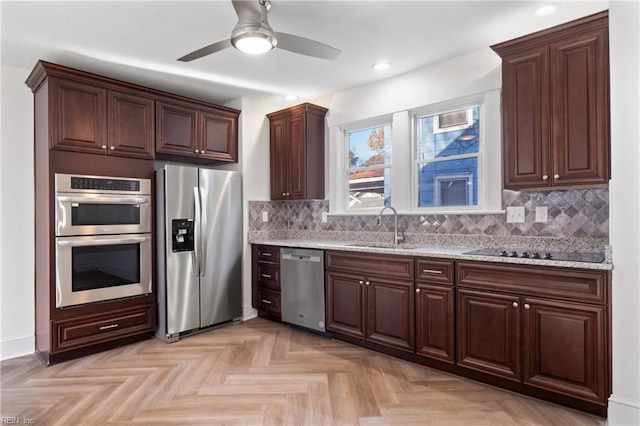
(447, 159)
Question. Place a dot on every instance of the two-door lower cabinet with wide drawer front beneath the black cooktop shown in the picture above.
(556, 345)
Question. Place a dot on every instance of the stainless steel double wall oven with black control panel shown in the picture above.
(103, 238)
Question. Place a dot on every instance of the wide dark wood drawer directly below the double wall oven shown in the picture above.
(84, 331)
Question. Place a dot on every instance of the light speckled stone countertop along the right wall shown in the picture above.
(443, 252)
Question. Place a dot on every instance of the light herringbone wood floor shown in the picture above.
(258, 373)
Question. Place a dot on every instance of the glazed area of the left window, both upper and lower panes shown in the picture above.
(369, 167)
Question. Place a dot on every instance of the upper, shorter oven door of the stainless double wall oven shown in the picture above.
(94, 214)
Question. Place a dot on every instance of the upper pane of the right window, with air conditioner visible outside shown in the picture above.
(440, 138)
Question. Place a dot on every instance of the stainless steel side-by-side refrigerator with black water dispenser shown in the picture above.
(199, 249)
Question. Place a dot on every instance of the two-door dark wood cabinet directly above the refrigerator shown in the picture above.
(196, 131)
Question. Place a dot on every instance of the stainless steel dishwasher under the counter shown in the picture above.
(302, 287)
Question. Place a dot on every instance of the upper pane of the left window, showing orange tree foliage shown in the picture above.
(369, 147)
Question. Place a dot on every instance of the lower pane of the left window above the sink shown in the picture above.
(369, 188)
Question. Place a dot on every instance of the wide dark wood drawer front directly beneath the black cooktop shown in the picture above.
(560, 283)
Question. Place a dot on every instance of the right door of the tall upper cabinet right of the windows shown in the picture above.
(580, 107)
